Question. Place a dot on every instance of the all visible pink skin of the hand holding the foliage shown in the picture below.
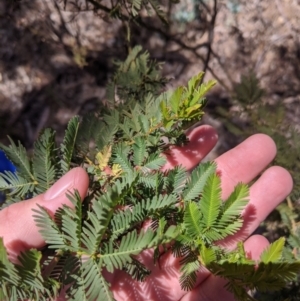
(241, 164)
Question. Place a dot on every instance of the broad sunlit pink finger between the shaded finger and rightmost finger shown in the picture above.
(244, 162)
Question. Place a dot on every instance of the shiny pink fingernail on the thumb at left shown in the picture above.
(61, 186)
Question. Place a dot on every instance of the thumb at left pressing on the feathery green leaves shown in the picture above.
(17, 226)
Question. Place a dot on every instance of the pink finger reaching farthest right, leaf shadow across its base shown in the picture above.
(274, 185)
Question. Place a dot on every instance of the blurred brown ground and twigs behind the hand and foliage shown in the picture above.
(57, 58)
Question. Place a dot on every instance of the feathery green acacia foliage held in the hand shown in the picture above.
(121, 149)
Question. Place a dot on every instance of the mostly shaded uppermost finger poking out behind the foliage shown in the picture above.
(201, 141)
